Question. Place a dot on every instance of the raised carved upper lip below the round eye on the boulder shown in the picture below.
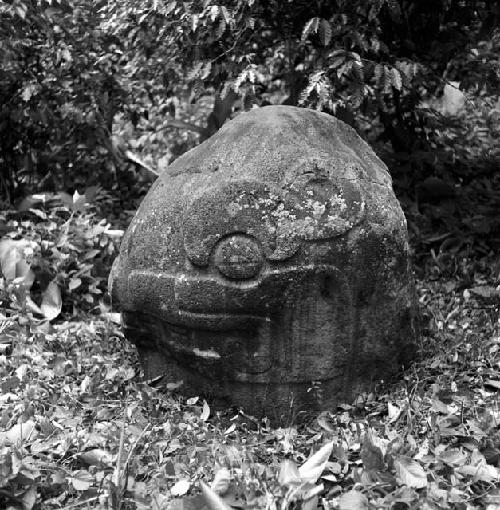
(208, 302)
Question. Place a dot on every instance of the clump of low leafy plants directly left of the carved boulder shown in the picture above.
(60, 262)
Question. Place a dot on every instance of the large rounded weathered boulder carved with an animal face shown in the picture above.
(273, 255)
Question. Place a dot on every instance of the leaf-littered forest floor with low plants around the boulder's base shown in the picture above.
(79, 429)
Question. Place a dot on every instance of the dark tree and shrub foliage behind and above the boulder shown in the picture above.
(86, 85)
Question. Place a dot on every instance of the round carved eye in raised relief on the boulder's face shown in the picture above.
(238, 257)
